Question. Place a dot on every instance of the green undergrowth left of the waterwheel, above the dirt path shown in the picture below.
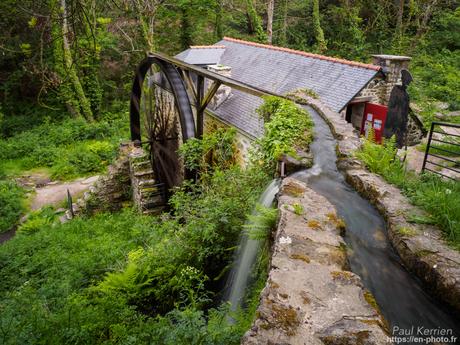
(67, 149)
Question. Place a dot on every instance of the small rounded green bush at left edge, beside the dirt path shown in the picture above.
(11, 204)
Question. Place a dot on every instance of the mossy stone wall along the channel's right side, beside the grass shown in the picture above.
(421, 247)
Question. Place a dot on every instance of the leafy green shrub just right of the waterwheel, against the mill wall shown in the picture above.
(216, 149)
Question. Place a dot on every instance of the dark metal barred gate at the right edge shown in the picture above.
(445, 151)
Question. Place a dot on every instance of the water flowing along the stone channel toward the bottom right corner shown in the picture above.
(399, 295)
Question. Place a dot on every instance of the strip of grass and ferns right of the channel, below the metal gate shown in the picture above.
(440, 198)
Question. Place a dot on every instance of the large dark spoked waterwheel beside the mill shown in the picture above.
(161, 117)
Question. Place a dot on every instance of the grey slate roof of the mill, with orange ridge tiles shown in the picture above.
(279, 70)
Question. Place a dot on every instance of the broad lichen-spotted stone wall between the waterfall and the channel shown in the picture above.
(310, 296)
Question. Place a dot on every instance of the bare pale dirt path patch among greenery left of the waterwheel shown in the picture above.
(54, 193)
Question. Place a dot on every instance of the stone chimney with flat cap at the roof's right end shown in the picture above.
(391, 66)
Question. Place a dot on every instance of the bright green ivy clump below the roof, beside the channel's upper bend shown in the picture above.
(287, 128)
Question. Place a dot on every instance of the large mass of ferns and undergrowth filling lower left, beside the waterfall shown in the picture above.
(132, 279)
